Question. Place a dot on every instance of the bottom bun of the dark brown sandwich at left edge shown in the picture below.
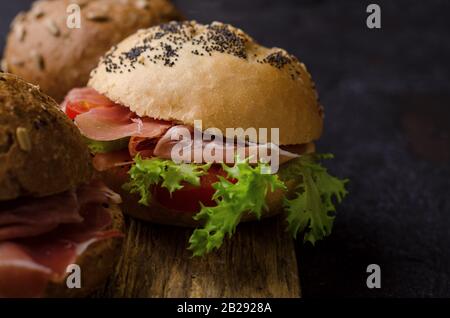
(97, 263)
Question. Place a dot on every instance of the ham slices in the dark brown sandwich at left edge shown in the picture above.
(28, 264)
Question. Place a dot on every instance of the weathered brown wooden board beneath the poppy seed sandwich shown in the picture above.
(259, 261)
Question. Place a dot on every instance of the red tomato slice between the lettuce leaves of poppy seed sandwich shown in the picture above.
(188, 198)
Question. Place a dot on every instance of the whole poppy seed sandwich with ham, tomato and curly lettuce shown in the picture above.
(155, 93)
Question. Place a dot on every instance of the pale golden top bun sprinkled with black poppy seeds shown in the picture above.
(185, 71)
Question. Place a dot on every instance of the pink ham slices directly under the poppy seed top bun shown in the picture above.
(151, 137)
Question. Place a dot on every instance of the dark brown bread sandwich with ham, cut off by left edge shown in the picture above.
(54, 221)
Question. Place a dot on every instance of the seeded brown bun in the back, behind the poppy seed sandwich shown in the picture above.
(43, 50)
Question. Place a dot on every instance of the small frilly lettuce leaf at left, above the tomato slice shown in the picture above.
(155, 171)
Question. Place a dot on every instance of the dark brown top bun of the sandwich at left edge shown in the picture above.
(41, 151)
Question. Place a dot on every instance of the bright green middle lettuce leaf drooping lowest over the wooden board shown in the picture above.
(245, 193)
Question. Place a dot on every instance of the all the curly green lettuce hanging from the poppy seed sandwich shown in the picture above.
(244, 190)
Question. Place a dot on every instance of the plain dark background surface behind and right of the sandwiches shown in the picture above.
(386, 94)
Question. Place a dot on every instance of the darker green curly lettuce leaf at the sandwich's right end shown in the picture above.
(310, 213)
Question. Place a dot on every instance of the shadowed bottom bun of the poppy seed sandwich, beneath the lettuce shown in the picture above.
(156, 213)
